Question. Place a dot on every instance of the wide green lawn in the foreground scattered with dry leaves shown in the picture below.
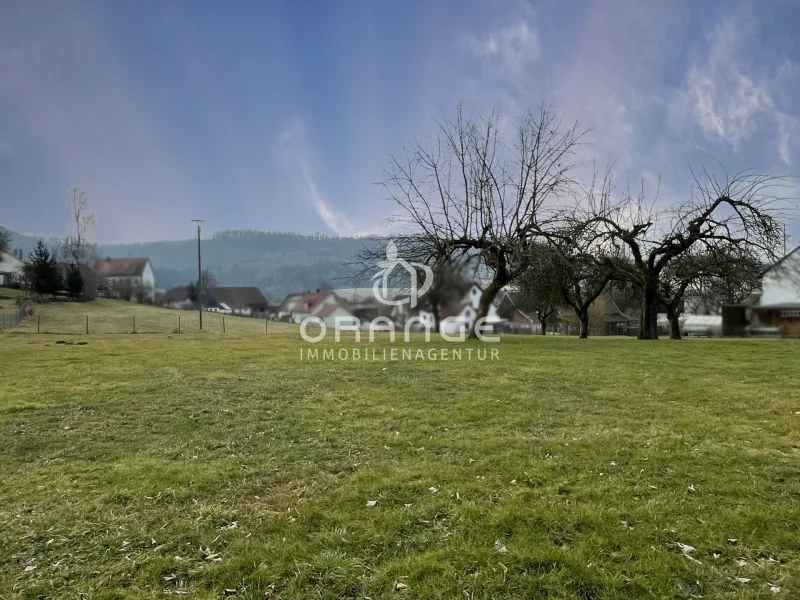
(151, 466)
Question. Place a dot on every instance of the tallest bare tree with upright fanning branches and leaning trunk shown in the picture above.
(468, 192)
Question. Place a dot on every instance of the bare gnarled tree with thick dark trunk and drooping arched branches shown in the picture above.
(724, 214)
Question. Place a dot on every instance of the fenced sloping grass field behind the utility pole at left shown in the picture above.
(117, 316)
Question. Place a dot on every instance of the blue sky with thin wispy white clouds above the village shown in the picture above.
(279, 115)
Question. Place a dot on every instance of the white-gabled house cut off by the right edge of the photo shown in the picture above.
(778, 308)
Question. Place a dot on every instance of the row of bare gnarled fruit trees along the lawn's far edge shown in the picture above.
(511, 197)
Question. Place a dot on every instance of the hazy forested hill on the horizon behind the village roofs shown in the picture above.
(276, 262)
